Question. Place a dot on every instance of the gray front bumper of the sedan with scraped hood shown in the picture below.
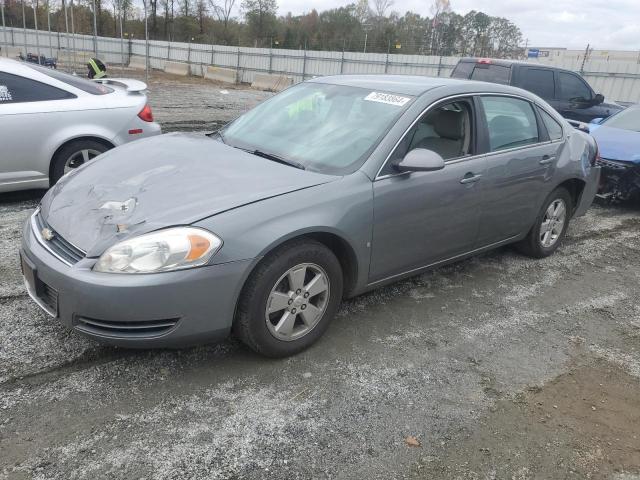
(169, 309)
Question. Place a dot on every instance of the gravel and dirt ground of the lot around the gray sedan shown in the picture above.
(497, 367)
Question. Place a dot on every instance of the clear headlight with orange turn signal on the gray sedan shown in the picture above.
(161, 251)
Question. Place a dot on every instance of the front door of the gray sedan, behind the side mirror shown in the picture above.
(421, 218)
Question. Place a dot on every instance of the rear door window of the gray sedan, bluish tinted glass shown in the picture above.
(511, 122)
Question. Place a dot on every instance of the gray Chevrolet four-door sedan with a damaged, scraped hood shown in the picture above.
(334, 187)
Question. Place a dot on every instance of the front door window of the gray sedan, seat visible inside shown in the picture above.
(446, 130)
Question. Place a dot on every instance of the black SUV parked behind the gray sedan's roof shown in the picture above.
(564, 90)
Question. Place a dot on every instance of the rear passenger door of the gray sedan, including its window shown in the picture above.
(520, 161)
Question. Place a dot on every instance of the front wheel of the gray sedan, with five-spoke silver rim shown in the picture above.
(289, 299)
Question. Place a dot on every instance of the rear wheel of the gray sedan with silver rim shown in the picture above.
(545, 236)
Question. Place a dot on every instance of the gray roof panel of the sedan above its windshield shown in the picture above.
(402, 84)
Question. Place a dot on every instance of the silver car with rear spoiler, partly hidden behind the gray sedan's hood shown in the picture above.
(52, 122)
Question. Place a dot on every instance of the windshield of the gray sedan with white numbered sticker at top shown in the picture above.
(326, 128)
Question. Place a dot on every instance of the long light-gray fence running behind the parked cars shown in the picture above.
(618, 79)
